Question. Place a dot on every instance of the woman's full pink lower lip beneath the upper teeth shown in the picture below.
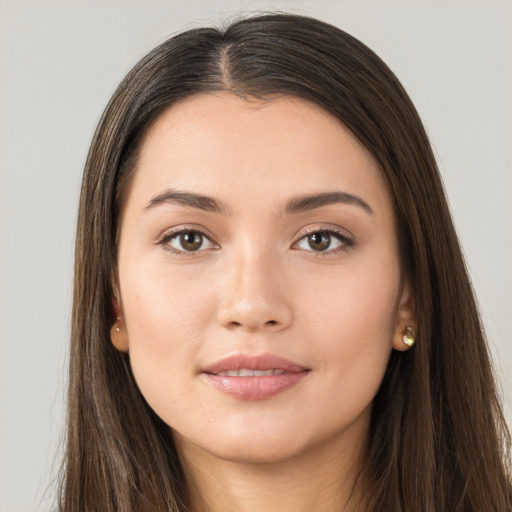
(255, 388)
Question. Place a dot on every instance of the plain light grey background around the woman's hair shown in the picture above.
(59, 64)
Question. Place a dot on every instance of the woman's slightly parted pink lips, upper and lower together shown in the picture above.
(254, 377)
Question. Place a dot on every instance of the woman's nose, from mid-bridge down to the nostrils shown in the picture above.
(253, 295)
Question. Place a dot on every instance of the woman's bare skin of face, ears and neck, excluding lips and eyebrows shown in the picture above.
(257, 286)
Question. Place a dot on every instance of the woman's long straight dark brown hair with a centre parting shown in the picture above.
(439, 441)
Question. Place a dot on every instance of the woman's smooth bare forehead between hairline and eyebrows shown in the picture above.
(223, 145)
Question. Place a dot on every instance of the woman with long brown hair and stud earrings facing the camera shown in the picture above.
(271, 308)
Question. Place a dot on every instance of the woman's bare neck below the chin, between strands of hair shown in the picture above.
(327, 478)
